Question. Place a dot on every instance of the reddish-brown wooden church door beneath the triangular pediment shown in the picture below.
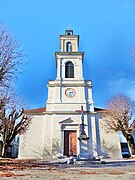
(70, 143)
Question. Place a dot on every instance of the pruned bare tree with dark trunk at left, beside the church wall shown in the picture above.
(12, 122)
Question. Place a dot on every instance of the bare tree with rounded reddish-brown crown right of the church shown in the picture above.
(120, 117)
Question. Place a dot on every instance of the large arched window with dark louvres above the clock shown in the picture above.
(69, 70)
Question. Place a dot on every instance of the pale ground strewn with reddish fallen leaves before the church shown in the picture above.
(39, 169)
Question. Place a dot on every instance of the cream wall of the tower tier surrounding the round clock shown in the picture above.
(58, 101)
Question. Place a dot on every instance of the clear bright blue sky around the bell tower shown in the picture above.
(107, 33)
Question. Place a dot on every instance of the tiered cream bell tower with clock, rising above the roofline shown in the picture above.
(69, 91)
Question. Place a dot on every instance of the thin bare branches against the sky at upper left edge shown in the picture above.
(10, 57)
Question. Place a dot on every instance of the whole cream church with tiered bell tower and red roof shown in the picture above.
(69, 124)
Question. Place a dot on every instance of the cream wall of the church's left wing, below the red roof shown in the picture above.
(32, 142)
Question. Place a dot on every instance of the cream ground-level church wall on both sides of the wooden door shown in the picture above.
(46, 132)
